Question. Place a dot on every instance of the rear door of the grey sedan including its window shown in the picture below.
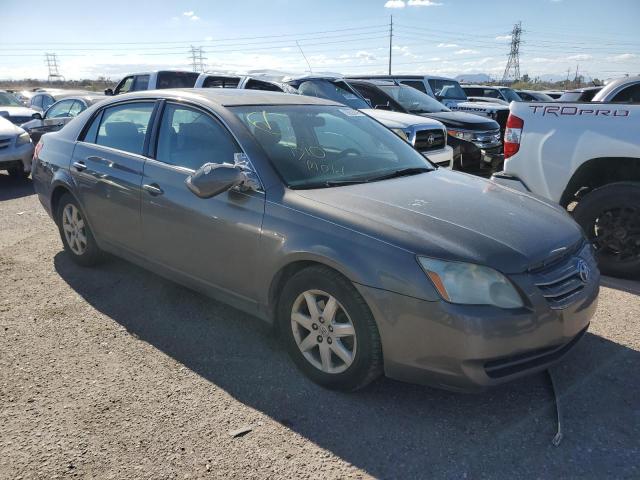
(107, 167)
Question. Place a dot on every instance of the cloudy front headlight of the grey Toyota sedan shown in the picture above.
(470, 284)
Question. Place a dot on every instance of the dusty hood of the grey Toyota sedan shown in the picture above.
(448, 215)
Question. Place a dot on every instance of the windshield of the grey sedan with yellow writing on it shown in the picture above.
(317, 146)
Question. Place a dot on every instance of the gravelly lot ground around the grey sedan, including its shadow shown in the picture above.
(117, 373)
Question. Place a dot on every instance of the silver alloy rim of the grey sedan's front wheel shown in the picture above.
(323, 331)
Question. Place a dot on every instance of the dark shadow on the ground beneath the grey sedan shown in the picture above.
(390, 429)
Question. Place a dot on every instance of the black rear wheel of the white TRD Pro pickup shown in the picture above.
(610, 217)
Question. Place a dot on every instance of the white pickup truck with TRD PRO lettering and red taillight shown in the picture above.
(586, 157)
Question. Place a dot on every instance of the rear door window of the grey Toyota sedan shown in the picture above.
(124, 127)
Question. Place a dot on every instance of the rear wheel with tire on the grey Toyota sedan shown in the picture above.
(81, 247)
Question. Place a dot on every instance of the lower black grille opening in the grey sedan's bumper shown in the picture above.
(513, 364)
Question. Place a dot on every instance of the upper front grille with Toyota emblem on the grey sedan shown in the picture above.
(559, 280)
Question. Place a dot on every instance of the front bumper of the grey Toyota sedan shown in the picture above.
(469, 348)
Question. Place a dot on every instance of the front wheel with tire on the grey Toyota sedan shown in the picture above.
(361, 349)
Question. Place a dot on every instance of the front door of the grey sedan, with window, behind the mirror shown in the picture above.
(213, 241)
